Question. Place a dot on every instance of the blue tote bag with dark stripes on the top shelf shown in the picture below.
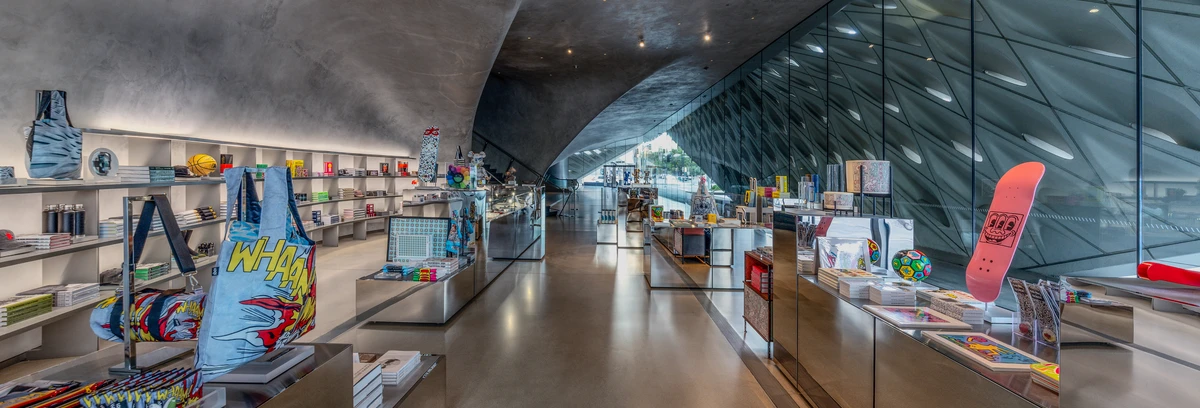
(53, 148)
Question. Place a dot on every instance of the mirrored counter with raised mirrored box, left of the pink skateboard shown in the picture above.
(842, 356)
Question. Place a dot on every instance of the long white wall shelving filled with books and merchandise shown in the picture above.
(65, 332)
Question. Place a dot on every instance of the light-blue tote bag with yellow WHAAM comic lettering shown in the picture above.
(263, 293)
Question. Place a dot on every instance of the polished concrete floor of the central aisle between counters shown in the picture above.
(578, 329)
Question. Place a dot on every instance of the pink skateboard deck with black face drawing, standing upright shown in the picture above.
(1003, 230)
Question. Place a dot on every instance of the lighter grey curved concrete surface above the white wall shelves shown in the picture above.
(364, 76)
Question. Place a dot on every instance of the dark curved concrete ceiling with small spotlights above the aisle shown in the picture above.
(572, 77)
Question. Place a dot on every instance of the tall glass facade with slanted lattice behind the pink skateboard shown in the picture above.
(955, 94)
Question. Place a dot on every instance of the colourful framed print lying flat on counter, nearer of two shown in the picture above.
(985, 350)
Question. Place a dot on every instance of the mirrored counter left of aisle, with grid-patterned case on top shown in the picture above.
(469, 237)
